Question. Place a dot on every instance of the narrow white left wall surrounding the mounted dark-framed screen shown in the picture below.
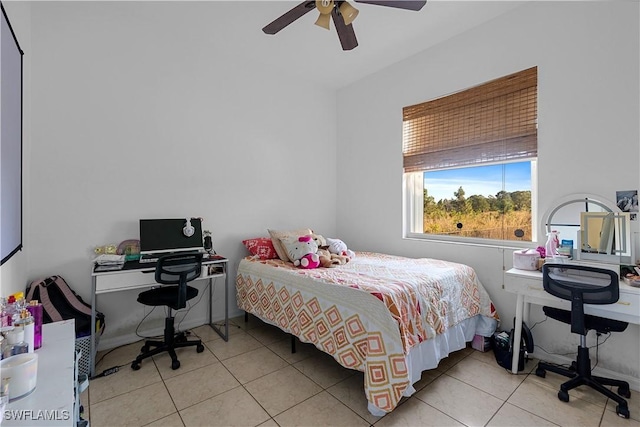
(14, 273)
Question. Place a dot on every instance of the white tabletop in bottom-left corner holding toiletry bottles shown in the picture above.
(52, 401)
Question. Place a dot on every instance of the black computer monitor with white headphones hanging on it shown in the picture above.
(159, 236)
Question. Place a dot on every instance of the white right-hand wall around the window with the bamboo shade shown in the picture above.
(588, 74)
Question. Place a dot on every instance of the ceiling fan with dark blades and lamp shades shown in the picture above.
(342, 13)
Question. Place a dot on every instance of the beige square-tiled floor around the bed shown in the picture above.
(255, 380)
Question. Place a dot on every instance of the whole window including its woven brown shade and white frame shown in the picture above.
(470, 162)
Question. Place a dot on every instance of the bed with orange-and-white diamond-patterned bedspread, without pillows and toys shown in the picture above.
(390, 317)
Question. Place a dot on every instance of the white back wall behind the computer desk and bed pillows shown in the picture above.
(137, 114)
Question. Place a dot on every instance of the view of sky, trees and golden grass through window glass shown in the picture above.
(492, 202)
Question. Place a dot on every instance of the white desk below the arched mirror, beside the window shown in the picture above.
(528, 286)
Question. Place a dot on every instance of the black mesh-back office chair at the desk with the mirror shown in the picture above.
(584, 285)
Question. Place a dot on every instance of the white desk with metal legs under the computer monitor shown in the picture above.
(137, 275)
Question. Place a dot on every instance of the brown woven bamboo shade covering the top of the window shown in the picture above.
(492, 122)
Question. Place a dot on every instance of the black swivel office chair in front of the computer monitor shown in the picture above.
(177, 270)
